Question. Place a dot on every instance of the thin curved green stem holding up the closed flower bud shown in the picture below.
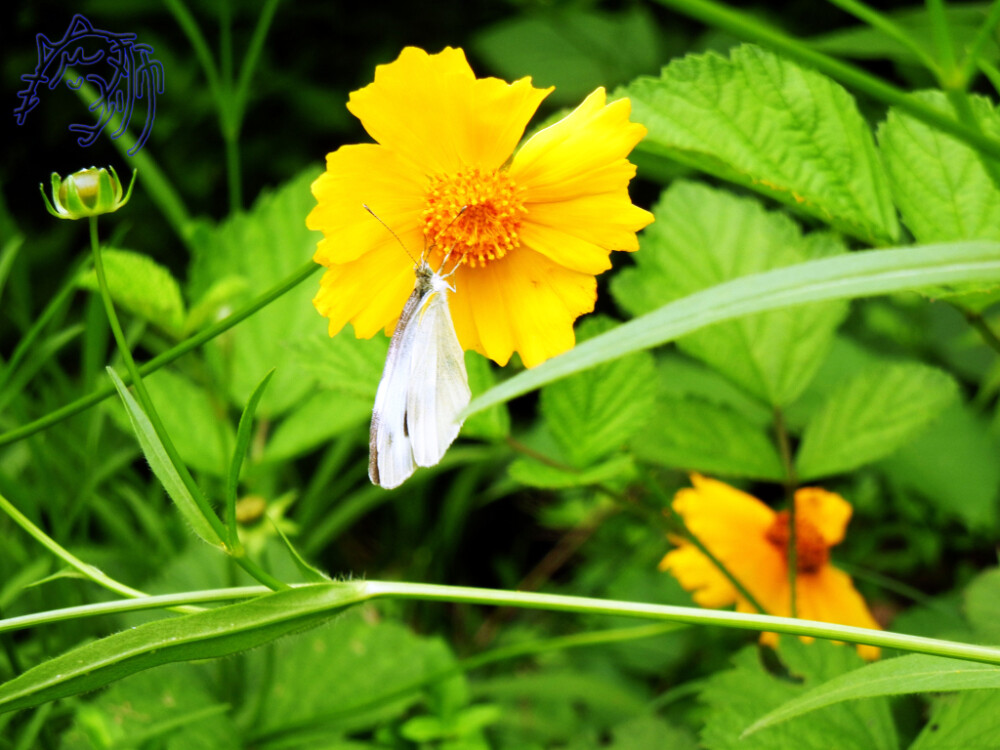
(154, 417)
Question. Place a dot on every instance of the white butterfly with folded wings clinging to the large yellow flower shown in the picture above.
(424, 385)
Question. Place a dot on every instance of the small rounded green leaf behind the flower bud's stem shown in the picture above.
(143, 287)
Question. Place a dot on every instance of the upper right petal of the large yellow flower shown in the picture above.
(584, 153)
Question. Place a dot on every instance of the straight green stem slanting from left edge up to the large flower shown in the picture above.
(166, 358)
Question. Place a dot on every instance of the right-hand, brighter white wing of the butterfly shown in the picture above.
(439, 386)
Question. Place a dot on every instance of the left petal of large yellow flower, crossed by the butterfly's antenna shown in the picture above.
(372, 175)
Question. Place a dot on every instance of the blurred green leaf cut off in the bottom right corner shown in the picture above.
(968, 720)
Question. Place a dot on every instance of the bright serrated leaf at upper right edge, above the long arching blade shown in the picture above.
(942, 186)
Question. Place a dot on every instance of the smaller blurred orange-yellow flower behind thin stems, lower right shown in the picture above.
(751, 540)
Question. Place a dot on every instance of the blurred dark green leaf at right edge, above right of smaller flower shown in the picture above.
(954, 466)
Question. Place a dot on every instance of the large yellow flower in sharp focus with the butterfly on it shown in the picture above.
(536, 228)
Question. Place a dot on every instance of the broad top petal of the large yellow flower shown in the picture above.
(433, 111)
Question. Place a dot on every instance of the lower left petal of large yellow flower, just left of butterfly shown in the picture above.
(369, 292)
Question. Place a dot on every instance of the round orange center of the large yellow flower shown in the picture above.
(487, 229)
